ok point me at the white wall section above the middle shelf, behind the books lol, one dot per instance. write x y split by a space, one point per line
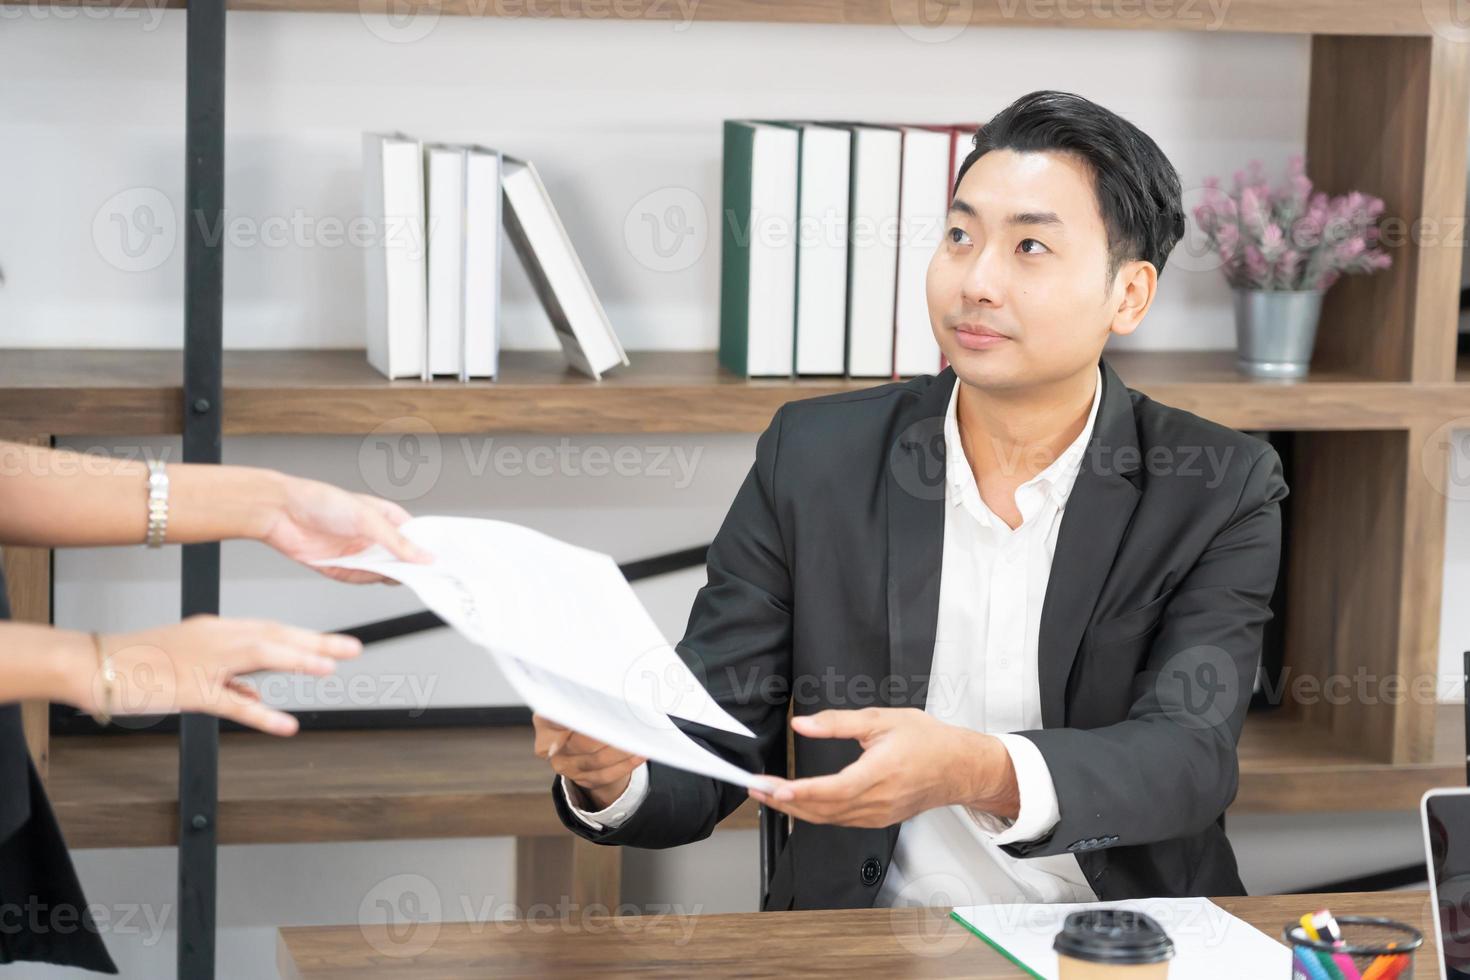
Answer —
615 112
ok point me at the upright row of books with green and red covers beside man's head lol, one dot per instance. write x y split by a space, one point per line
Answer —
827 234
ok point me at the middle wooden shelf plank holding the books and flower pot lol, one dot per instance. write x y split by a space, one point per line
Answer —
337 393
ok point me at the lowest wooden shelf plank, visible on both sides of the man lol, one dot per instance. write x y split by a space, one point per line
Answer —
121 791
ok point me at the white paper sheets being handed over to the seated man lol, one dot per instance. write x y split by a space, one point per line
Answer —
567 631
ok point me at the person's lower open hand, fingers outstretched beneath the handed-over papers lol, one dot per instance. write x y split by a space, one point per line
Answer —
199 666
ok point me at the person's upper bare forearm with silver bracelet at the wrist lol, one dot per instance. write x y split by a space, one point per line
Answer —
64 499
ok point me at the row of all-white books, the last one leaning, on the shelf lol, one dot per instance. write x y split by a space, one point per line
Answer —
433 267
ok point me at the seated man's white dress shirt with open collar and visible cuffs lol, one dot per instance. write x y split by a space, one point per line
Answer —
984 678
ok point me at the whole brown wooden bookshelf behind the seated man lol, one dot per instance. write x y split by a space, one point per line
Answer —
1369 518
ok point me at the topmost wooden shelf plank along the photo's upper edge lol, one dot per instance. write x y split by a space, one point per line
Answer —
1265 17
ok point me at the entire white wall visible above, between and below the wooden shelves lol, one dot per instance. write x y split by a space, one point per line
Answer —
624 121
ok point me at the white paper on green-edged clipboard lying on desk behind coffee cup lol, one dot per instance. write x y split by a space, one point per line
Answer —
1211 944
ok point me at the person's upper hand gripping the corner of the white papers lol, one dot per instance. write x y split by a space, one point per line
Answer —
309 521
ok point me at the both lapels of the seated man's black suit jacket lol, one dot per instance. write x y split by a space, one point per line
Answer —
1099 511
